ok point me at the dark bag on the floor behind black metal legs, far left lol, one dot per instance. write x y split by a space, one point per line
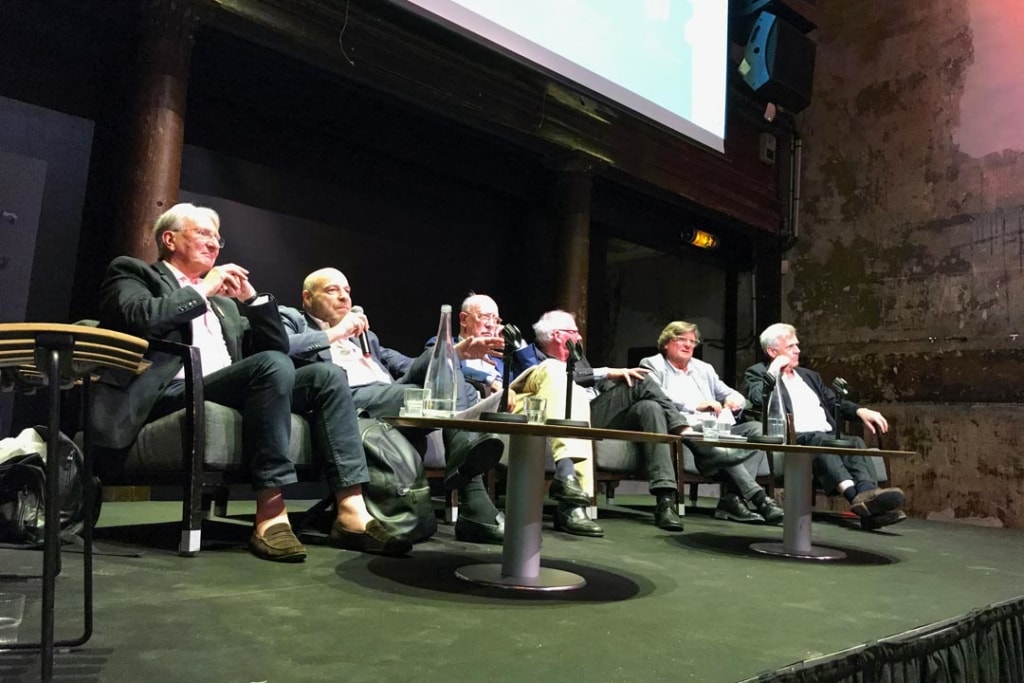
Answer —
23 494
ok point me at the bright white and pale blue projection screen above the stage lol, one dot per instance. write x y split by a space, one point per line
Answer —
665 60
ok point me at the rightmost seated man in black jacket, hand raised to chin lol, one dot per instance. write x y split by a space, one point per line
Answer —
813 406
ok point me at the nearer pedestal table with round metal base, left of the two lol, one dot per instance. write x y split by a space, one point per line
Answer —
521 568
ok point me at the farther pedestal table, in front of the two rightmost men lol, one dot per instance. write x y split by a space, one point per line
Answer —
798 478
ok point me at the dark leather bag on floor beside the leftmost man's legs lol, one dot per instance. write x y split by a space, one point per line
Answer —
398 494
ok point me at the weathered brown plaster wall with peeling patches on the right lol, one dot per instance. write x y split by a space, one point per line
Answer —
909 274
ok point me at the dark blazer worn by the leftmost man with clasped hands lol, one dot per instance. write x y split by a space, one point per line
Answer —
146 301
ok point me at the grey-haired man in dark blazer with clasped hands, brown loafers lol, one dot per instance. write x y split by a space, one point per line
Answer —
186 297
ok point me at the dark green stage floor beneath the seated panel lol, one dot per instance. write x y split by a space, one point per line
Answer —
659 607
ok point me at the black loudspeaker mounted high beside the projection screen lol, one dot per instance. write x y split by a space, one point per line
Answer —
779 63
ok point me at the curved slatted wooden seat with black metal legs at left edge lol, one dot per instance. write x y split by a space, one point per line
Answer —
57 357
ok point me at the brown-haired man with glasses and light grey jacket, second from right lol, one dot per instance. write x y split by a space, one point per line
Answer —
697 390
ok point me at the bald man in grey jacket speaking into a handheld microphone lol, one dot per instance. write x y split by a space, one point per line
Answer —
329 331
